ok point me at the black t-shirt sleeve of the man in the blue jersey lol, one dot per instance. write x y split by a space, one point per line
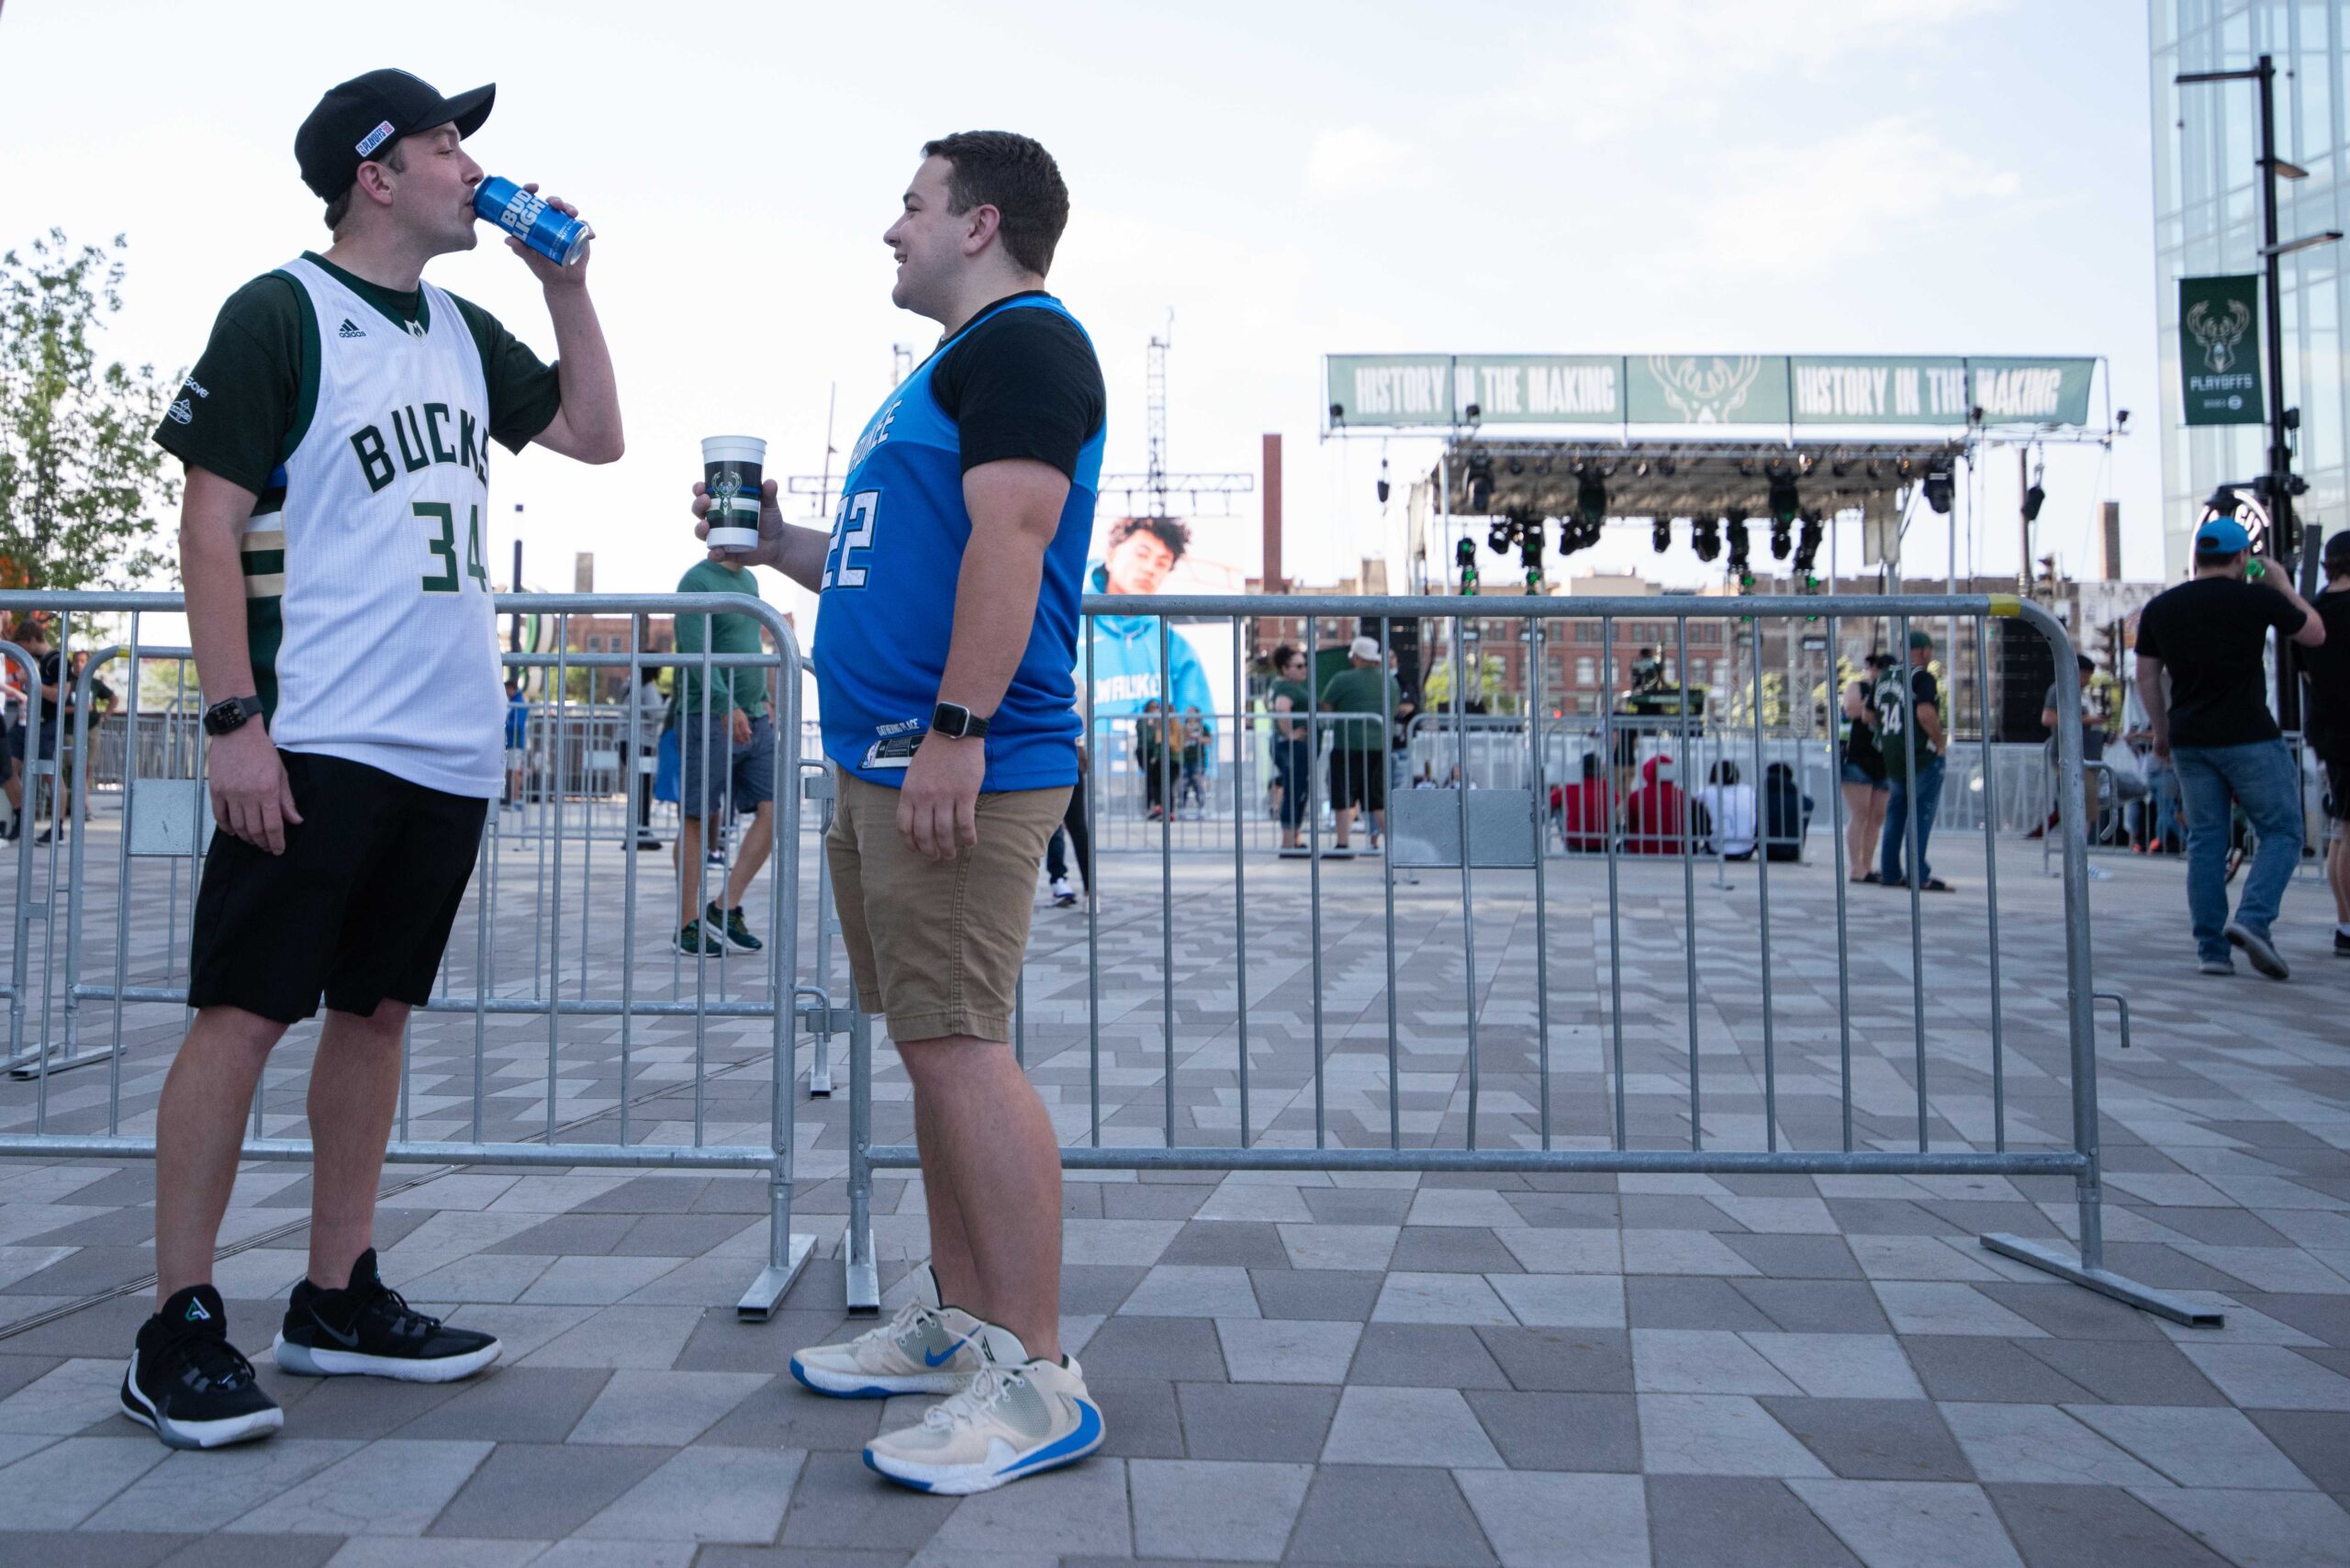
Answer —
1023 384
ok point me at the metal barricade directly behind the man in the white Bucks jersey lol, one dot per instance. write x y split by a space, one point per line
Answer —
568 1021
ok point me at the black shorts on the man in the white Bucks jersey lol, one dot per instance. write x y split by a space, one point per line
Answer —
358 906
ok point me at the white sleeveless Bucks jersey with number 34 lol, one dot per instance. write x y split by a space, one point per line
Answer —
365 587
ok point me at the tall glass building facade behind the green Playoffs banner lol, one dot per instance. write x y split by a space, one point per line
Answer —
2208 220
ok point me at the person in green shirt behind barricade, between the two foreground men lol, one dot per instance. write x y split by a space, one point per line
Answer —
727 756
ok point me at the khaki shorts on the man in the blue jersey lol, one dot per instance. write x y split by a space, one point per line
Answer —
936 946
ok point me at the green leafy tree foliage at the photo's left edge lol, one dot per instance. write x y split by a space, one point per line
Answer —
81 483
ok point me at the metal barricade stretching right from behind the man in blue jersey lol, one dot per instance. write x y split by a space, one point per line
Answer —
1416 1097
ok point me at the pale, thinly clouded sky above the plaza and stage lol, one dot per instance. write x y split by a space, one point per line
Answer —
1291 180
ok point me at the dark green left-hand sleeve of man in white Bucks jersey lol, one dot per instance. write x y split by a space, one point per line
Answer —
241 410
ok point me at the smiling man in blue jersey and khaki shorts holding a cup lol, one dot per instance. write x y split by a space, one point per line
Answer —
946 643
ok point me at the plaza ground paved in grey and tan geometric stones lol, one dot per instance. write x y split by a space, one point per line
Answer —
1298 1367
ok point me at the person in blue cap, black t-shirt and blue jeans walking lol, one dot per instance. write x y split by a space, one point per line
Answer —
2210 636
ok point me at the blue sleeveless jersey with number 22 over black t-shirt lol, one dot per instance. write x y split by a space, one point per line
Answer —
887 608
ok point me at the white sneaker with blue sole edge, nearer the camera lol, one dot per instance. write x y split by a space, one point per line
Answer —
1014 1421
